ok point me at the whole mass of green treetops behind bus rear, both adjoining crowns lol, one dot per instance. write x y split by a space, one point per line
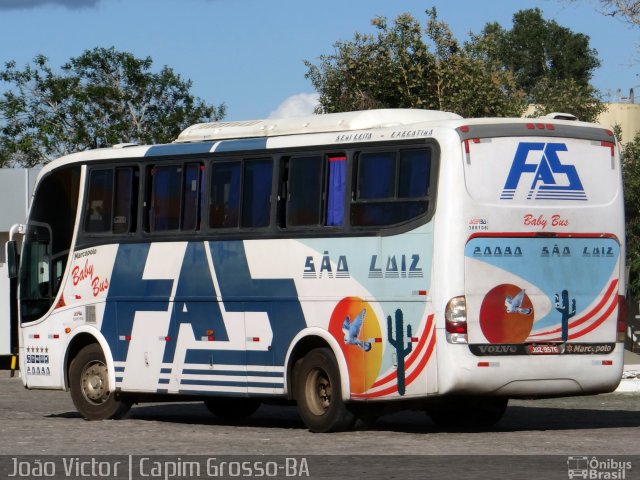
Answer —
495 73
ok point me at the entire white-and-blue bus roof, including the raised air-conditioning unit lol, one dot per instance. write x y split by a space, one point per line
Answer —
260 134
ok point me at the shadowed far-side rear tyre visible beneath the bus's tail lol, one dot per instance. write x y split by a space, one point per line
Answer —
468 412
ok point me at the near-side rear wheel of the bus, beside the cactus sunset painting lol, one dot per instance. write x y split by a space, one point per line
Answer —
319 395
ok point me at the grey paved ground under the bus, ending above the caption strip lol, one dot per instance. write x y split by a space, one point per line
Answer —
45 422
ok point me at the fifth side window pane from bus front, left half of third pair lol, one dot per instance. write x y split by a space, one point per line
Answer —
224 200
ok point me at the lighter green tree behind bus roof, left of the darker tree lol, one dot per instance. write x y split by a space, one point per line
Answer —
397 69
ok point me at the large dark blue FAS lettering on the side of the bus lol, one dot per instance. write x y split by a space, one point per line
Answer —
196 304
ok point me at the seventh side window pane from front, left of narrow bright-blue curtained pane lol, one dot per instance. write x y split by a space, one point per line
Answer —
304 198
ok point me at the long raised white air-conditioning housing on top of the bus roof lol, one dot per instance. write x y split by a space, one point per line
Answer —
330 122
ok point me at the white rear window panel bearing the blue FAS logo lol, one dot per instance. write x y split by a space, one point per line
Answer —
540 171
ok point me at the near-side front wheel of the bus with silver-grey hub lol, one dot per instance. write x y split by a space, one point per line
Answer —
89 385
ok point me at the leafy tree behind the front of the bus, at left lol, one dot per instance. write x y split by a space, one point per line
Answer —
101 98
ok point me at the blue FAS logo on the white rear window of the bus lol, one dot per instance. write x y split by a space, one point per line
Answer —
550 179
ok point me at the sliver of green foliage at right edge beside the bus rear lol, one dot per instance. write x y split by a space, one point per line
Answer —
631 178
